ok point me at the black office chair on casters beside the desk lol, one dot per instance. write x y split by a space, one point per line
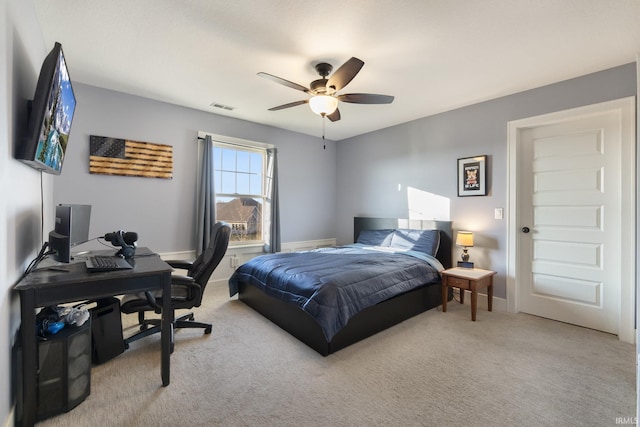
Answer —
186 291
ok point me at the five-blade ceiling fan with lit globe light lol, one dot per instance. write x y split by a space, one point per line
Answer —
324 98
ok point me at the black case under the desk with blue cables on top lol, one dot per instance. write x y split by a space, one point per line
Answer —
64 370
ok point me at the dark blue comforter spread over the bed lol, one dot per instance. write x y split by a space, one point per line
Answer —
333 284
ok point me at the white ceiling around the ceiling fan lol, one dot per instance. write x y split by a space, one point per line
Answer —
432 55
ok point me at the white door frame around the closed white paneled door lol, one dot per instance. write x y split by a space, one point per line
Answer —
626 106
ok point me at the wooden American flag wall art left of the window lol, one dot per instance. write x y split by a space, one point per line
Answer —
113 156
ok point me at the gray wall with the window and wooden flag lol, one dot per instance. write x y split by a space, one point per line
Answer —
162 211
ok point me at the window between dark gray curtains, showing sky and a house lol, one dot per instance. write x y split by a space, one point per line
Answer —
239 175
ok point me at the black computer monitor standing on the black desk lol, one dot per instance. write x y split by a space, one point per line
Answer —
71 229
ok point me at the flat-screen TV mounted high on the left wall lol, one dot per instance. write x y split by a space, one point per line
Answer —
50 117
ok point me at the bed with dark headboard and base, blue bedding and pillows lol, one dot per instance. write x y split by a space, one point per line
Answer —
274 285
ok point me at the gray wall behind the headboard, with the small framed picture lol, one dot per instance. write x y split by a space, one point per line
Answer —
423 154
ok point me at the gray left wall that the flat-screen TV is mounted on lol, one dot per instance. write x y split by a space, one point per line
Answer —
25 193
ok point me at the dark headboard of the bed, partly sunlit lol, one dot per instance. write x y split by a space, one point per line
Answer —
446 232
